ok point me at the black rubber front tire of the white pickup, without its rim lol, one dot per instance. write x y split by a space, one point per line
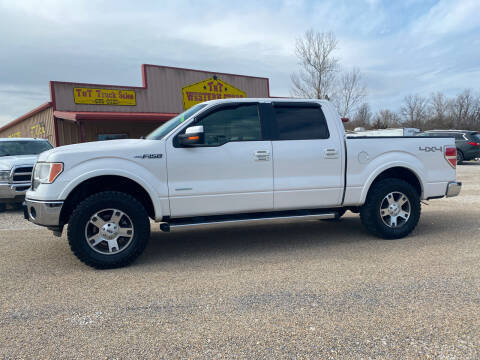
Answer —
105 200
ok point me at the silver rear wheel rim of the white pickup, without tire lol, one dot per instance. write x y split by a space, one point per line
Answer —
395 209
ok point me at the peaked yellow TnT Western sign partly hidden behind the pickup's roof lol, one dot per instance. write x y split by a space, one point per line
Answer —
209 89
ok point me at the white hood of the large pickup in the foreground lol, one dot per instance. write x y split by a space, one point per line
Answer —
85 151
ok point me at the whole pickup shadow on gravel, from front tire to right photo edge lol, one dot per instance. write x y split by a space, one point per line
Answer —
229 242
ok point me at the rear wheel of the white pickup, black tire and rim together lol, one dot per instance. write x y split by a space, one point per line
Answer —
392 209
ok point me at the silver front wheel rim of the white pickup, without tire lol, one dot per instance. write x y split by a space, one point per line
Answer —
109 231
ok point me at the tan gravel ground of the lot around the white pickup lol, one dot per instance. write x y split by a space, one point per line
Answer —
308 289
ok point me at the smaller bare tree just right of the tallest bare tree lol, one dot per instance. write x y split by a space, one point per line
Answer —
350 93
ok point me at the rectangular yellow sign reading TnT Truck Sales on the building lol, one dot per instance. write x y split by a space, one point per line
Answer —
104 96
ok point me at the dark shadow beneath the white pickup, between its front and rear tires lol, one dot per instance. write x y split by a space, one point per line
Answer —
249 239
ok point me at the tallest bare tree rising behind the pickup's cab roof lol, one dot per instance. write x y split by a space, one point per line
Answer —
315 79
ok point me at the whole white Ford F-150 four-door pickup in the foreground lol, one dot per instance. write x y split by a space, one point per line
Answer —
230 161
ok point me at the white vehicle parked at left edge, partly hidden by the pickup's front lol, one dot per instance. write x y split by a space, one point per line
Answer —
17 158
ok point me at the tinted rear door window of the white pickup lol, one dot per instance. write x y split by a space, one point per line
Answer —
300 123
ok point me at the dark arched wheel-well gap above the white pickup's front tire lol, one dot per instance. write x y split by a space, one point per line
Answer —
96 184
